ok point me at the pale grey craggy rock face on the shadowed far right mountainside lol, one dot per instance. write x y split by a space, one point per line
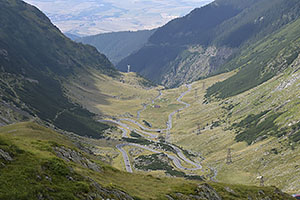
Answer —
193 63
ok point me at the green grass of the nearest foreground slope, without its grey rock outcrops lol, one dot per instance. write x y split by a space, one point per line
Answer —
31 148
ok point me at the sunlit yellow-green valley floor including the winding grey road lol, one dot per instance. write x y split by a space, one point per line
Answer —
177 132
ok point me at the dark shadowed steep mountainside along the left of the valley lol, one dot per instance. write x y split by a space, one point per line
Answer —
35 58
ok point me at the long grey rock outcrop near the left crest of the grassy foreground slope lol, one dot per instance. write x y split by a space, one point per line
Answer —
70 155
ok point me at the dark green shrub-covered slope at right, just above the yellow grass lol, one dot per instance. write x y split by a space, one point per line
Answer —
260 61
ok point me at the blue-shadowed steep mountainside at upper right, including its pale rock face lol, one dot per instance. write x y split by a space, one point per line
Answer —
200 43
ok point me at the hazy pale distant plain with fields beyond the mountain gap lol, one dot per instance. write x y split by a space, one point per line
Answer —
90 17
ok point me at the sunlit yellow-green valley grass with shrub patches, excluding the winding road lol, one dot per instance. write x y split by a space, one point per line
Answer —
258 125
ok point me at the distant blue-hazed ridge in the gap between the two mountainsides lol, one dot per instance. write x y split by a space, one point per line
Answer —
118 45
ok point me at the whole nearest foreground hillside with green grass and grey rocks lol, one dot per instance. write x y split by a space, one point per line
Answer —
38 163
